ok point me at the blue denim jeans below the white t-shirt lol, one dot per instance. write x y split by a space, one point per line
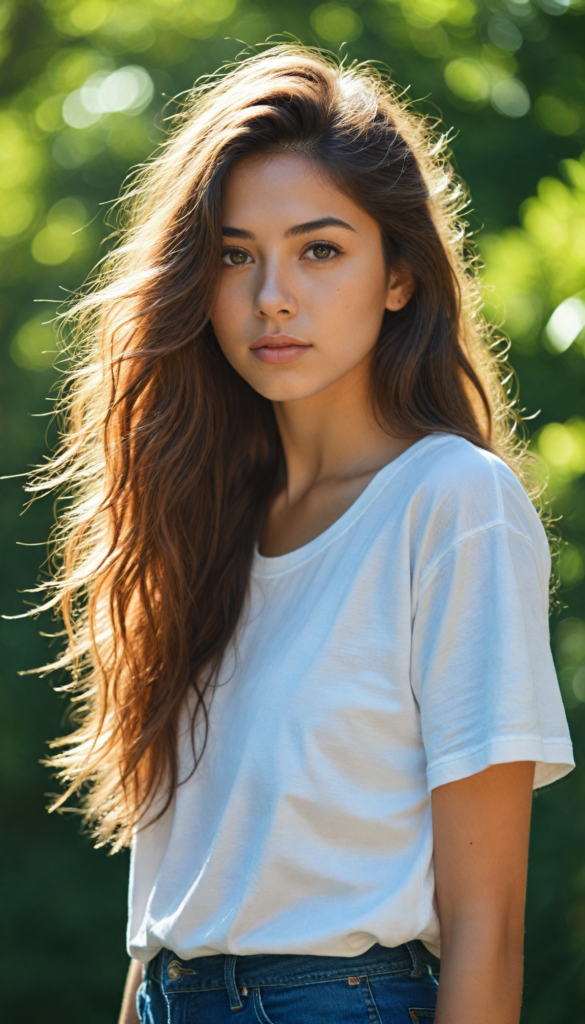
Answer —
382 987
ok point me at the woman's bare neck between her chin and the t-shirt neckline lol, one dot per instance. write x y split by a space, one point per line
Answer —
335 434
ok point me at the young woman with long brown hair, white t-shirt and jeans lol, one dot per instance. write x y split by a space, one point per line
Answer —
306 591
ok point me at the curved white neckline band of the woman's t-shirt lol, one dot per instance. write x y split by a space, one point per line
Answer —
267 567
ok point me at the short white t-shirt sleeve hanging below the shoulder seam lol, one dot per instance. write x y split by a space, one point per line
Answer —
482 667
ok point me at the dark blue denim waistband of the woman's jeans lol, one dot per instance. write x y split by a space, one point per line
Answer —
262 970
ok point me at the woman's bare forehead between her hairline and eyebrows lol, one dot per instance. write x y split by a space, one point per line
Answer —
285 190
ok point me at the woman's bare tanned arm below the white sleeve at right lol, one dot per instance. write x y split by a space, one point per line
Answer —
481 828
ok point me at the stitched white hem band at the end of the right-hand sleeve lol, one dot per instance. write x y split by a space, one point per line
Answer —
554 759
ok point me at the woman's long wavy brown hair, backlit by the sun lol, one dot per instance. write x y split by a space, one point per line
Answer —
170 458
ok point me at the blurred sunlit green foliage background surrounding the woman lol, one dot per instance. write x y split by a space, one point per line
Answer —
510 77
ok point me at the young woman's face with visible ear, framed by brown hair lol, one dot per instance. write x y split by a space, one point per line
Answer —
304 285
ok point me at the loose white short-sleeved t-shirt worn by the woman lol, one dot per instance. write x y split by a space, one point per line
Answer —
405 648
